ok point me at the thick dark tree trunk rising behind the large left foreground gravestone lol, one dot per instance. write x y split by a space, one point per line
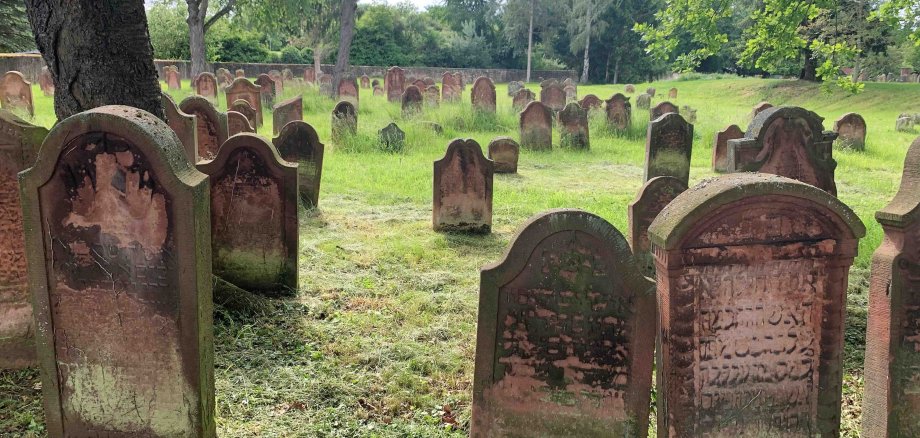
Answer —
98 53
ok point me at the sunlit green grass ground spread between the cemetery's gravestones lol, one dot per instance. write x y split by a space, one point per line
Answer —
380 339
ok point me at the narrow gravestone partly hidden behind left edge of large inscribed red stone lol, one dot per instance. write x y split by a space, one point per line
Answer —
654 195
